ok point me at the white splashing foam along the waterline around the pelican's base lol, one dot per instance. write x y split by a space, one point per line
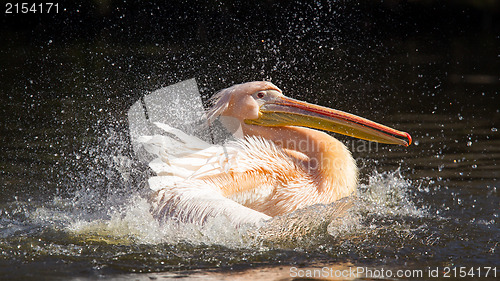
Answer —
129 221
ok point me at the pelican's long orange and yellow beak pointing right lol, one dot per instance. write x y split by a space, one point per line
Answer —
284 111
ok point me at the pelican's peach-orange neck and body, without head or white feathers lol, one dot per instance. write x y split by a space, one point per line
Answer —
278 179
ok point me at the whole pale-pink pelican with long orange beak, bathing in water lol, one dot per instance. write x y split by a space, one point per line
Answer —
281 161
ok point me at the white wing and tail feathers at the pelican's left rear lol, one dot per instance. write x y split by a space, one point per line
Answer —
180 194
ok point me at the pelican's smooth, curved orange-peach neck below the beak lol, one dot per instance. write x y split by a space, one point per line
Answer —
326 159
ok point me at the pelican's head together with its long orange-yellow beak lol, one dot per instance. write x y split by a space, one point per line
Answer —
262 103
